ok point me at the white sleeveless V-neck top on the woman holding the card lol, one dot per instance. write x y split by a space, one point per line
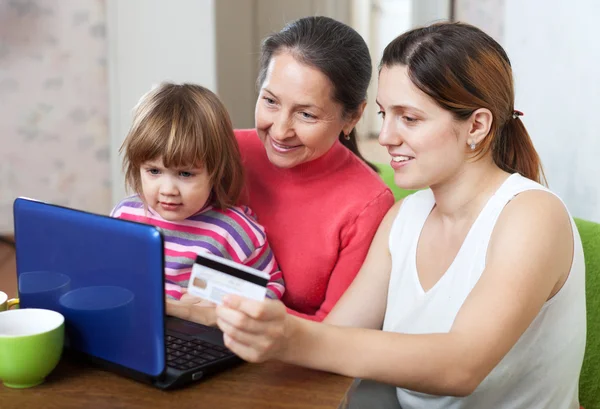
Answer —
542 369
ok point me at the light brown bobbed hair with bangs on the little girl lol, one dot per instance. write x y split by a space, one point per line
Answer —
187 126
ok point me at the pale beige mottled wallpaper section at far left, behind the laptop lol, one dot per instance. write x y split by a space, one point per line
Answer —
53 94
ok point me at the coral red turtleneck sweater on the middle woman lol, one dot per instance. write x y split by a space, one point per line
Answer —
320 218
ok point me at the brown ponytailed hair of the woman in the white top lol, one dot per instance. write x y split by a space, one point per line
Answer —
464 69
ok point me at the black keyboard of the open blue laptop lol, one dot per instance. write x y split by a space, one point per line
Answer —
183 354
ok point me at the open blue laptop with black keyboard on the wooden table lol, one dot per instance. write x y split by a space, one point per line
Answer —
106 276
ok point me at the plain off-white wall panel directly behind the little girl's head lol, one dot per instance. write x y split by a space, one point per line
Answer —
150 41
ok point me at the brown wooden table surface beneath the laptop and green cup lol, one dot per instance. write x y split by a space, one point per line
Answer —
80 385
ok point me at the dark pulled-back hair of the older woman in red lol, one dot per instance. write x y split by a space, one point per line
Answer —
336 50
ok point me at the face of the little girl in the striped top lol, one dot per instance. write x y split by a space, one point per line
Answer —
175 194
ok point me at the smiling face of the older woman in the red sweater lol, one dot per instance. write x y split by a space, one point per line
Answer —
296 118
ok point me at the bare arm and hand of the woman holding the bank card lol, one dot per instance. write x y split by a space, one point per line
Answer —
528 258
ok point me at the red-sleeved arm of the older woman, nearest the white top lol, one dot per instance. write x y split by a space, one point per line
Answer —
356 242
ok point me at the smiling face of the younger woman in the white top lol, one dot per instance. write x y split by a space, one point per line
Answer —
426 144
